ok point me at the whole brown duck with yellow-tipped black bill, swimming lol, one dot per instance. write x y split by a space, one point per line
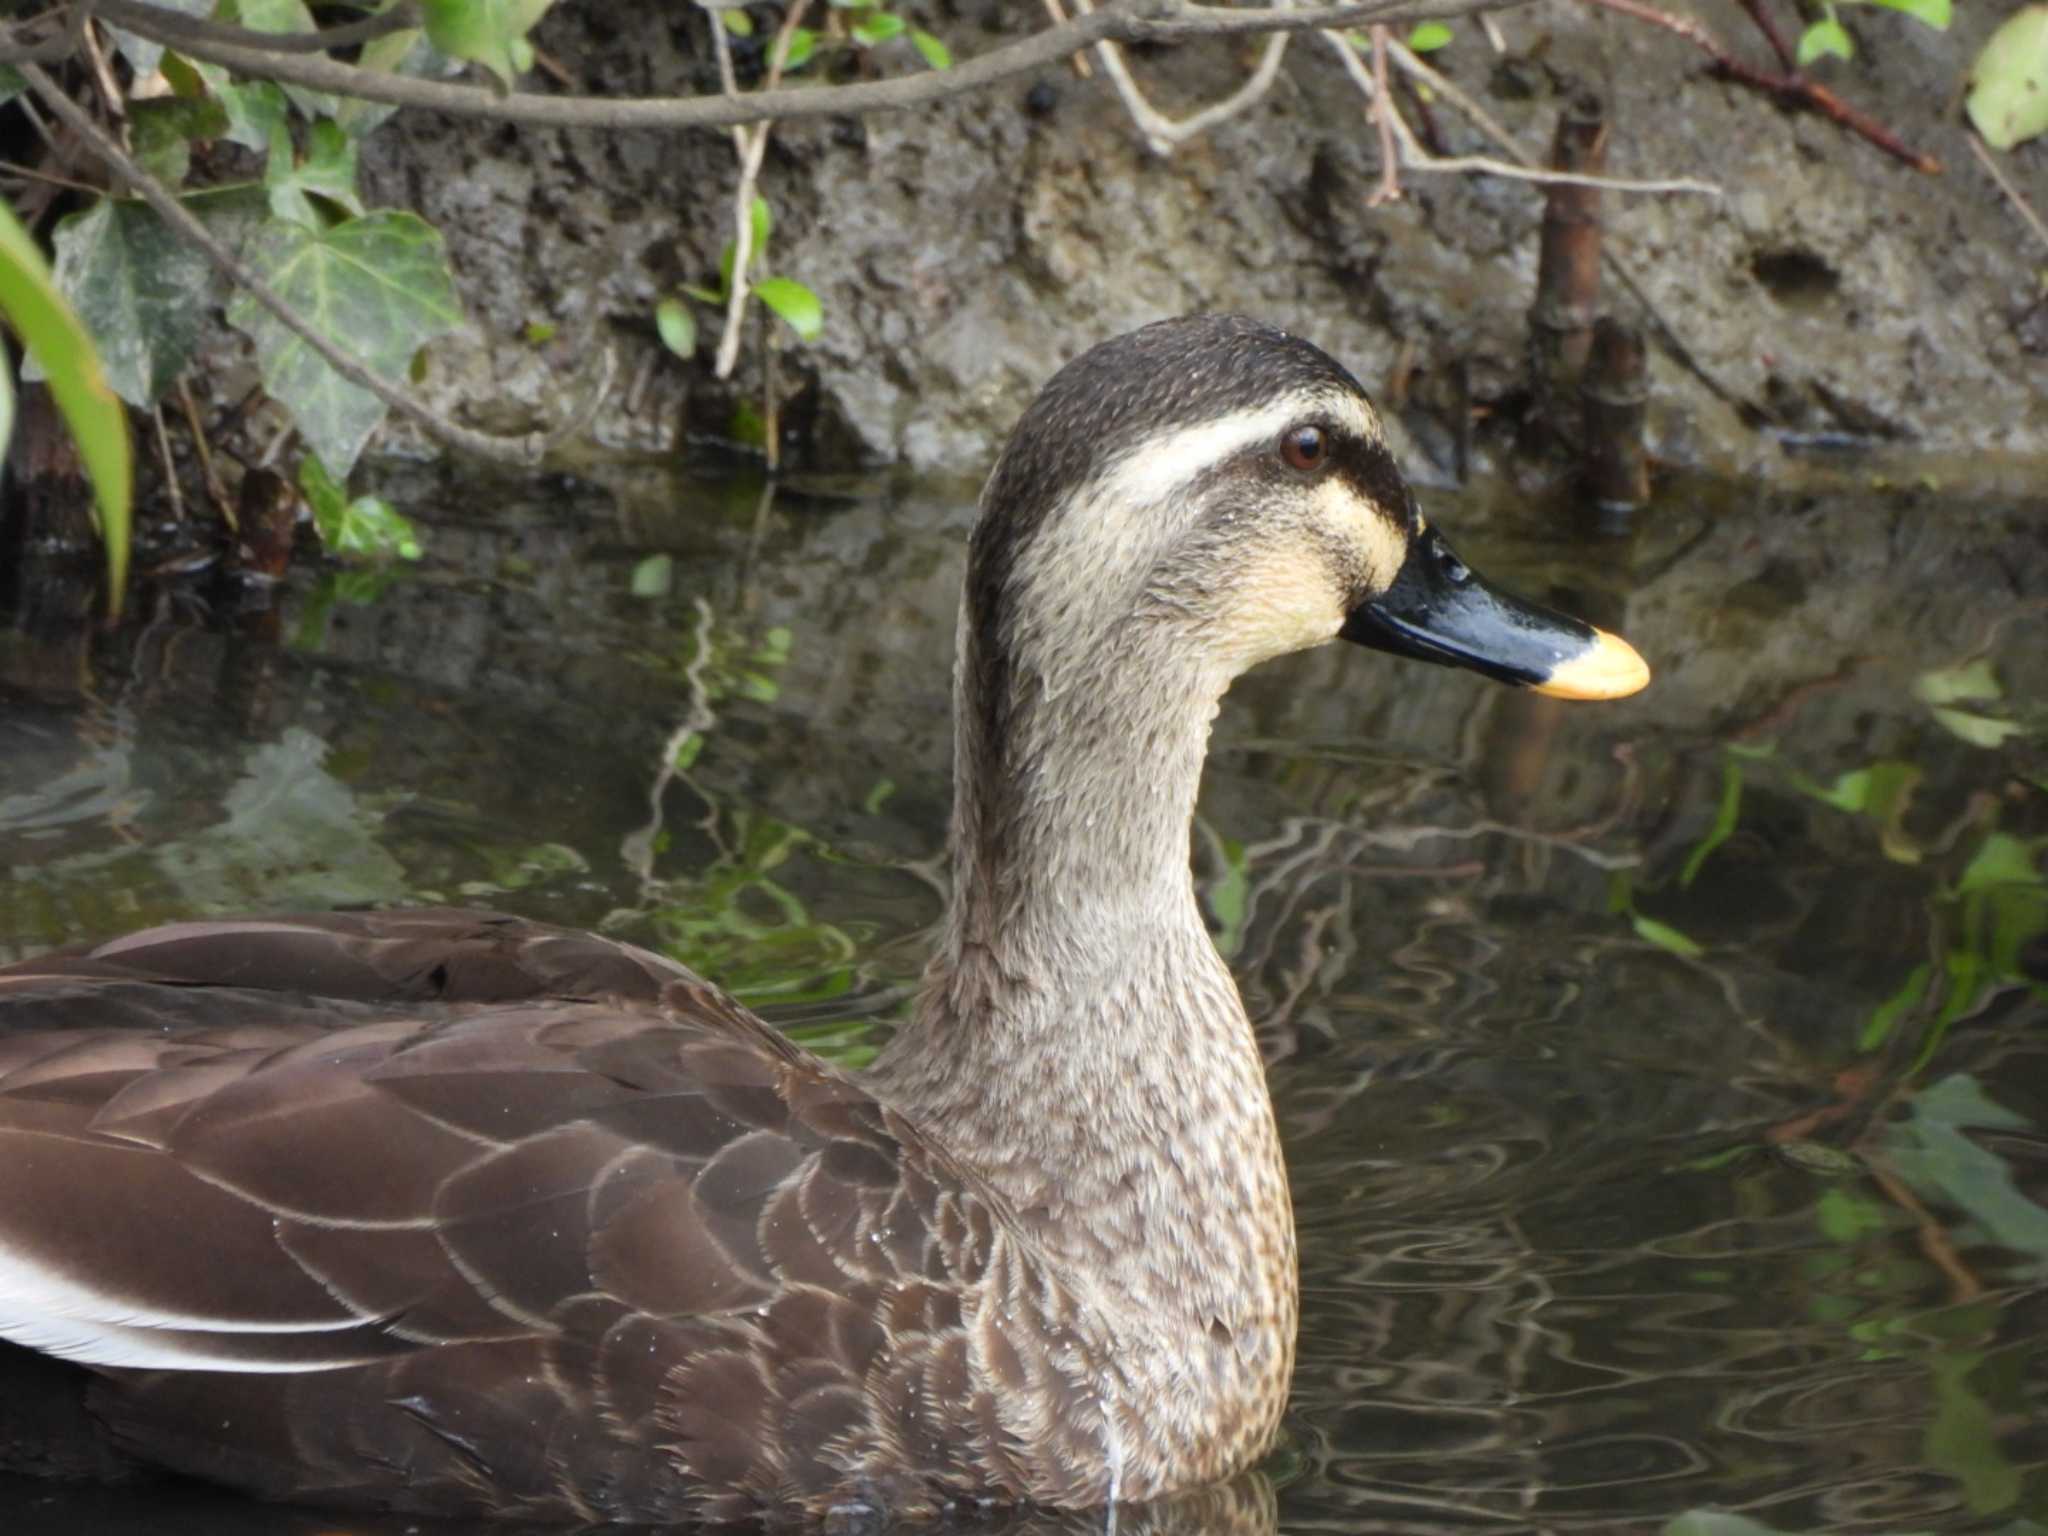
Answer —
466 1215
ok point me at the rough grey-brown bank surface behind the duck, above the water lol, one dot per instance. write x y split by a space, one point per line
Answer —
966 251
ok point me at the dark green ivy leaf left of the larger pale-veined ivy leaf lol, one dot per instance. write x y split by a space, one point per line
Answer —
140 292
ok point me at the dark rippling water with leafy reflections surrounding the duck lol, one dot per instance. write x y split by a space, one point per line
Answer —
1666 1082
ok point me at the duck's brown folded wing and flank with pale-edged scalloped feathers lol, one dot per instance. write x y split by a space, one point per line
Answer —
587 1238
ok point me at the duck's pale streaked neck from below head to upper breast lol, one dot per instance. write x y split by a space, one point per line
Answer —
1078 1041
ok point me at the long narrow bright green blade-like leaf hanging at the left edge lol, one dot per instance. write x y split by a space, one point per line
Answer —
54 335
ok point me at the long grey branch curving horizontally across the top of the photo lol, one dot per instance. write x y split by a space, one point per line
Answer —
1125 22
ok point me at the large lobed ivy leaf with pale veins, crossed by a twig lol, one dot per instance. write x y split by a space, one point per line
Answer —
378 288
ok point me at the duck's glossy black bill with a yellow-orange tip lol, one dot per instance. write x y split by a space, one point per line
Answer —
1443 611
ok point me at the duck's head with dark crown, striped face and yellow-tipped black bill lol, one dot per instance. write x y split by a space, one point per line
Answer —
1222 490
